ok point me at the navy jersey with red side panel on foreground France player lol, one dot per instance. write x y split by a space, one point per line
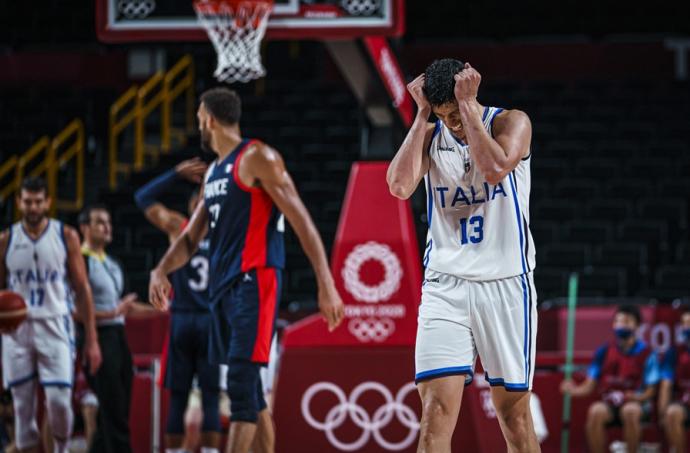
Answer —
245 226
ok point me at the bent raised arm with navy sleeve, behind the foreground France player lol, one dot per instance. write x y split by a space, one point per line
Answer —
147 197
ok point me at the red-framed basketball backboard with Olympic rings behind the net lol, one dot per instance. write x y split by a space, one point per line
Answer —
175 20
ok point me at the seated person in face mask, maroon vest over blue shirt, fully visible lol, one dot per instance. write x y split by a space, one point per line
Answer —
624 372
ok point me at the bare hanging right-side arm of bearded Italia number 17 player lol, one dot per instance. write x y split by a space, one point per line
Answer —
83 298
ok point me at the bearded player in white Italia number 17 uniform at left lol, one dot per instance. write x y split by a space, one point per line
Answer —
39 257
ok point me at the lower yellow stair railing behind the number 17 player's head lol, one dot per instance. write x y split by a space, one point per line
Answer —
50 164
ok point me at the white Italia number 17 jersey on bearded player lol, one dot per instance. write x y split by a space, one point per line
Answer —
38 269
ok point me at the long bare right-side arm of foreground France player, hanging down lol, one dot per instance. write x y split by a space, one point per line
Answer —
264 166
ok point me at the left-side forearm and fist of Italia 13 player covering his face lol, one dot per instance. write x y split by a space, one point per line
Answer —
411 161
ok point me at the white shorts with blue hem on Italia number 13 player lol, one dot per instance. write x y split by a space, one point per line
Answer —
460 319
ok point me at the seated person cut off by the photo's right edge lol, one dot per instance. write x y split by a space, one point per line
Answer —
674 391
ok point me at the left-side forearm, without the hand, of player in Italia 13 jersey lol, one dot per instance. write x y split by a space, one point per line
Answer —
405 170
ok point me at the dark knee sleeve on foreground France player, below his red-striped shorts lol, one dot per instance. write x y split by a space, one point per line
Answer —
242 384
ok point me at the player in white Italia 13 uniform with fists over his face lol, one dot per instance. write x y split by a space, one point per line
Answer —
478 295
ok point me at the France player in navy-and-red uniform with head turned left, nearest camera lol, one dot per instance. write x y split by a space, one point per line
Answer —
247 191
